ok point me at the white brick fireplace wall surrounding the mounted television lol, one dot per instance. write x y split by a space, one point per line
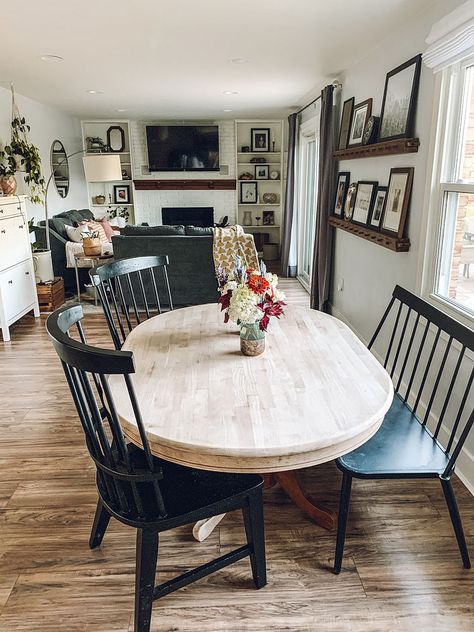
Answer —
148 204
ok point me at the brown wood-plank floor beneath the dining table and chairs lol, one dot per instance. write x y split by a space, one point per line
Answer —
402 569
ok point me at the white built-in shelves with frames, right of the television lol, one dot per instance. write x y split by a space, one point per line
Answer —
275 161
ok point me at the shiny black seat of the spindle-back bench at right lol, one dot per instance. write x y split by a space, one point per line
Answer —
402 448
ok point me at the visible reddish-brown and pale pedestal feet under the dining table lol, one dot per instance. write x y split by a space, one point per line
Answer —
290 482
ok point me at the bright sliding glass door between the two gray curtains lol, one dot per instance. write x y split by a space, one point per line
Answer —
307 195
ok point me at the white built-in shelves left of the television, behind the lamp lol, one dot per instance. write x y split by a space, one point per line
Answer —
98 129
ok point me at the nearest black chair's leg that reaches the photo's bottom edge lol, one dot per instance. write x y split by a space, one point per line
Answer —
147 556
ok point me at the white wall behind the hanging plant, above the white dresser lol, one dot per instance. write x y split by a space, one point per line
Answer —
48 124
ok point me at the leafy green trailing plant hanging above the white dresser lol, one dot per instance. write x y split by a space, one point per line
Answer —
20 155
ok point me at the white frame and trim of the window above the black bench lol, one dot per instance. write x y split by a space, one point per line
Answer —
443 155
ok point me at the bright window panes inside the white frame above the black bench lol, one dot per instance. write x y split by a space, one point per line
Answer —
452 276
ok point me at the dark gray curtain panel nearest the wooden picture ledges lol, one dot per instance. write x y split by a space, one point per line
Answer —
323 241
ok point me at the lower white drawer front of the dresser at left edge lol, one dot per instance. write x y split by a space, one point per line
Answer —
17 288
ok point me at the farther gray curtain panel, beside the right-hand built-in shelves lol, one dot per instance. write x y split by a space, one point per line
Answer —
287 269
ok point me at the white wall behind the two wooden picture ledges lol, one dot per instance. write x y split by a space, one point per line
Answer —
370 272
